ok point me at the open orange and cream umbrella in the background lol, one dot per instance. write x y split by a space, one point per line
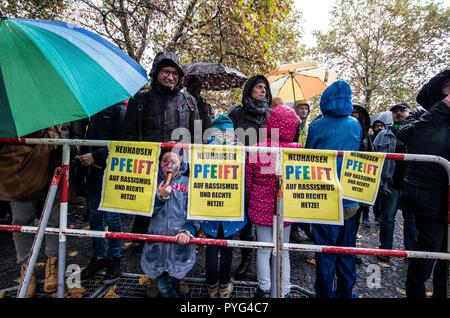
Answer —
303 80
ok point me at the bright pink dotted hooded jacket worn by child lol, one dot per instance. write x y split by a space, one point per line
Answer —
260 179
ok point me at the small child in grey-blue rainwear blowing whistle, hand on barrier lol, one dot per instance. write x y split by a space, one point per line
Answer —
167 263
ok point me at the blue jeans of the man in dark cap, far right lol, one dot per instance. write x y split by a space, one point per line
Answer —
387 225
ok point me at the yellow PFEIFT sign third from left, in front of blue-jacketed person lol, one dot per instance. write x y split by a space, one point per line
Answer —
311 189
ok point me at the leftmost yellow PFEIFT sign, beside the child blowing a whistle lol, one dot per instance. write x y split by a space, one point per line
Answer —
129 181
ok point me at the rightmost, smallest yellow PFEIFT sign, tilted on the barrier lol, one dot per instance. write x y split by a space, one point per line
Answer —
360 176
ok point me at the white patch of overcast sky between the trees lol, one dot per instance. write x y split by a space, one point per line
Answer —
316 14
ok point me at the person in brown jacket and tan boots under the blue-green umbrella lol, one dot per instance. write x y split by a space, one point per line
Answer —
25 198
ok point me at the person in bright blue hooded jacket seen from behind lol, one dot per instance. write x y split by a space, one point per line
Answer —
336 130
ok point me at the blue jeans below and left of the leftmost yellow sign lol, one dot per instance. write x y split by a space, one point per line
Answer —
97 221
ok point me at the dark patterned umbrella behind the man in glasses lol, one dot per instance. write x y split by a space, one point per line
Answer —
214 76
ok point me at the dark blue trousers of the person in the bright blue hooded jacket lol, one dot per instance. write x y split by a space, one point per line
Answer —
335 273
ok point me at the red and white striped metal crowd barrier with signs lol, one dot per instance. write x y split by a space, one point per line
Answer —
277 245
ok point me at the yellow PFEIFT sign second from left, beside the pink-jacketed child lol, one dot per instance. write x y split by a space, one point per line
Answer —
216 183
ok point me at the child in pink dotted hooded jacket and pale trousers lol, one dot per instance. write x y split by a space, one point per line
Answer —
282 129
